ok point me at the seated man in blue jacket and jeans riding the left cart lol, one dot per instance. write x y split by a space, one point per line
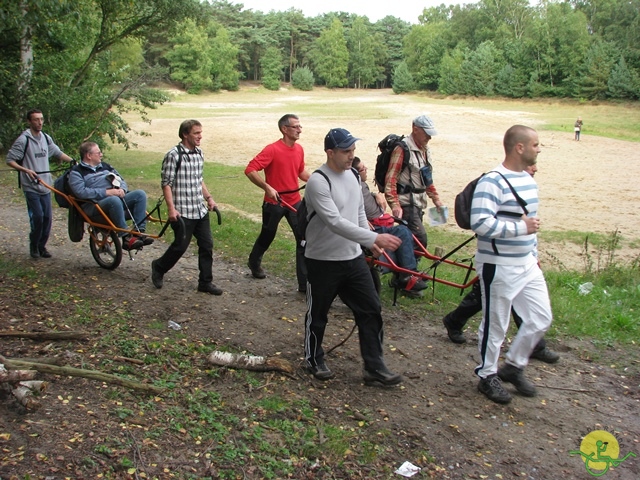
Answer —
101 184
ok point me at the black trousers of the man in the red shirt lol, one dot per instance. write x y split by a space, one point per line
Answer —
272 214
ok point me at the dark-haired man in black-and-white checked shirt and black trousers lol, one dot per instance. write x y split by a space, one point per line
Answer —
187 198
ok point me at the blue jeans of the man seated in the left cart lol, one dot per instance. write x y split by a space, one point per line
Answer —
114 208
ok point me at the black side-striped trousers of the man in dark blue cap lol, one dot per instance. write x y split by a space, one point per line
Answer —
352 281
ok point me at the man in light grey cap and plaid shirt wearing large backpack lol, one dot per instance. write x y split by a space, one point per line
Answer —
407 189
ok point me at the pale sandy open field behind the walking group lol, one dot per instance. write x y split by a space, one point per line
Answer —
587 186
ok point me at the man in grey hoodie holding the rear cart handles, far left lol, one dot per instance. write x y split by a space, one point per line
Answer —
29 155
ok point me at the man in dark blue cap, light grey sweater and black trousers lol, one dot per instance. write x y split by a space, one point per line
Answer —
337 228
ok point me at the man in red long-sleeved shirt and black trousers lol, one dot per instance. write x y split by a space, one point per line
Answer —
283 164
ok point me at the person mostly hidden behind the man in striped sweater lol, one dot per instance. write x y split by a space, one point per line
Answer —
471 304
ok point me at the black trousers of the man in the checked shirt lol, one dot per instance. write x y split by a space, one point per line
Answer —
201 229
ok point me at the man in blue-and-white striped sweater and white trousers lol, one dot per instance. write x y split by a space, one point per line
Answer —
508 267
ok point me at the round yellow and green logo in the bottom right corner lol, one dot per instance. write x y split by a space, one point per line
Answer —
600 451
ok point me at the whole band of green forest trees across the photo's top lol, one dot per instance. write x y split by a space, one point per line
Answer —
86 62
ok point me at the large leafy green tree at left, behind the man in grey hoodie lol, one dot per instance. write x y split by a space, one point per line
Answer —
73 45
